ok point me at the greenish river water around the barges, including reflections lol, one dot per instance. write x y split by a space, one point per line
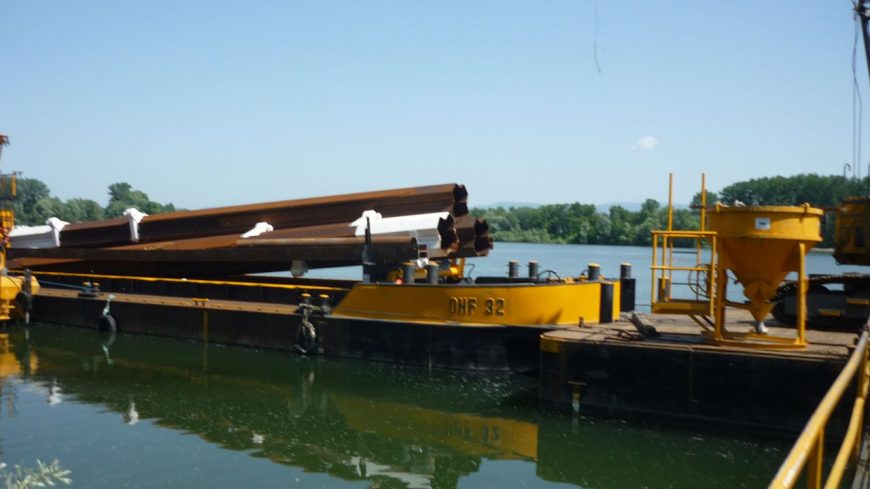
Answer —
143 412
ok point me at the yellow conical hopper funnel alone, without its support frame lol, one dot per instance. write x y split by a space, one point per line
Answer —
760 246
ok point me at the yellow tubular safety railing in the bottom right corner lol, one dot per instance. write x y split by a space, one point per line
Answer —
808 451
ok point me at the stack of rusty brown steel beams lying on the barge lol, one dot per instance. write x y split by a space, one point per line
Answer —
405 224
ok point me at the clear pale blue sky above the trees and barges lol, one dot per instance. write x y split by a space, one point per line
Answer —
208 103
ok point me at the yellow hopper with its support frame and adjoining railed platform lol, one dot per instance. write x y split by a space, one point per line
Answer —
760 245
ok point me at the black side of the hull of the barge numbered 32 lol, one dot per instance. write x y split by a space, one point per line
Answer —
489 348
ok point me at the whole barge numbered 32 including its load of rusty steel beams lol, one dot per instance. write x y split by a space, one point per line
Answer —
199 275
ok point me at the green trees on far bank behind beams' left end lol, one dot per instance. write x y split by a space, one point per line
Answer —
35 204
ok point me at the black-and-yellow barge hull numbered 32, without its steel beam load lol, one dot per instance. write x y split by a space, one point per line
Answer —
490 324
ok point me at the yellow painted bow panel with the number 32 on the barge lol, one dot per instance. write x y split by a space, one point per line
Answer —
515 304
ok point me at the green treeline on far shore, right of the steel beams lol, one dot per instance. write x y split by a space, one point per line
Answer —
582 224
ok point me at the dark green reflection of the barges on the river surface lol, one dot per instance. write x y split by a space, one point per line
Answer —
359 422
